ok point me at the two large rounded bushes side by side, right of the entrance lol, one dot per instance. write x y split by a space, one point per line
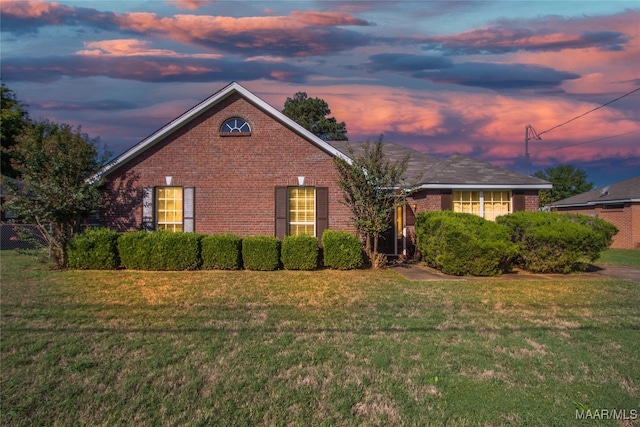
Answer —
465 244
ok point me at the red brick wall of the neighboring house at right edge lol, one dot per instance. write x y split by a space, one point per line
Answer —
627 220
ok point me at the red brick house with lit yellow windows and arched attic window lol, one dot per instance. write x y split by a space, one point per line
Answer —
235 164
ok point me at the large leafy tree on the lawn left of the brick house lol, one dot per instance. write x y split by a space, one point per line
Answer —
55 163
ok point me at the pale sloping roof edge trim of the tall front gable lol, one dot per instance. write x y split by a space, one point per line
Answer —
202 107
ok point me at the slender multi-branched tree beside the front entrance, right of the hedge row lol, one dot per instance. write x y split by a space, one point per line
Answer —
372 188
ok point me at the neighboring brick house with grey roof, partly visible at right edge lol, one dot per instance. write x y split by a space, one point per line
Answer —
618 204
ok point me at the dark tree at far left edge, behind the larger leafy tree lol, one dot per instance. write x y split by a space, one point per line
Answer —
14 119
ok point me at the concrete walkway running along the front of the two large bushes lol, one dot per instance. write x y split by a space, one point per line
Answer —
422 272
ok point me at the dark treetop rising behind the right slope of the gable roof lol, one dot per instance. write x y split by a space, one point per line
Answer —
311 113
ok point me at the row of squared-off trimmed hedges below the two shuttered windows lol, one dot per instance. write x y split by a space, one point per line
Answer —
107 249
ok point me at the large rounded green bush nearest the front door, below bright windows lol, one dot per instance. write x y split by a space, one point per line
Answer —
464 244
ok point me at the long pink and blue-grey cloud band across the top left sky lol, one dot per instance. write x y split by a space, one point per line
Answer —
301 33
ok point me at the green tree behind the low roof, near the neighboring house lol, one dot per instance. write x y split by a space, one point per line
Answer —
567 181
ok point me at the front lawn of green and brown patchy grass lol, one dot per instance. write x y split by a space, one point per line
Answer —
312 348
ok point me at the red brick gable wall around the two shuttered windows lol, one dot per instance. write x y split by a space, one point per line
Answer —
234 176
